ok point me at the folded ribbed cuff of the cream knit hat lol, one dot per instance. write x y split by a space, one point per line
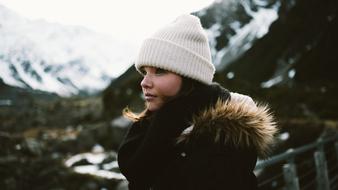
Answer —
169 56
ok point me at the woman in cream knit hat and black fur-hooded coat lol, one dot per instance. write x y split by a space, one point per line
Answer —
193 134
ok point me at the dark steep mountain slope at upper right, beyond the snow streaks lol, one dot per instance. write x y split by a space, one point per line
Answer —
299 48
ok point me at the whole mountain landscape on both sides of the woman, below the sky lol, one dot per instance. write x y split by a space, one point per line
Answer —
61 96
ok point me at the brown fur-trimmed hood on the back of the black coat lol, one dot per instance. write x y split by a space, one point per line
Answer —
238 122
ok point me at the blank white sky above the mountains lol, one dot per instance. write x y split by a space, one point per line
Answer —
127 20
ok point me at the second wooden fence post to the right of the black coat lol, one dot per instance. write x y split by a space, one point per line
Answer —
321 169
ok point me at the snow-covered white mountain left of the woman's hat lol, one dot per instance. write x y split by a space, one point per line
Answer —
51 57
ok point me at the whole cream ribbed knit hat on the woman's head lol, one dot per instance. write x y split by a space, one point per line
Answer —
181 47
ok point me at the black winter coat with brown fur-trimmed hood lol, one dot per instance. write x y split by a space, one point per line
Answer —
206 140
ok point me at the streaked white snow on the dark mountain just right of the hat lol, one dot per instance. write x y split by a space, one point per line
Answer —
245 33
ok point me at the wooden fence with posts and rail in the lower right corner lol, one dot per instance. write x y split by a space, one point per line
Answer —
324 179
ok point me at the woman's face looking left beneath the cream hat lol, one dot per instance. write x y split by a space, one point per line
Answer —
158 86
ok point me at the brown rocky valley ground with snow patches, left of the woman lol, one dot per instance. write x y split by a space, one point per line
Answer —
48 142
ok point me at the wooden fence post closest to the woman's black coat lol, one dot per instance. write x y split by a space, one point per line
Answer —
290 177
